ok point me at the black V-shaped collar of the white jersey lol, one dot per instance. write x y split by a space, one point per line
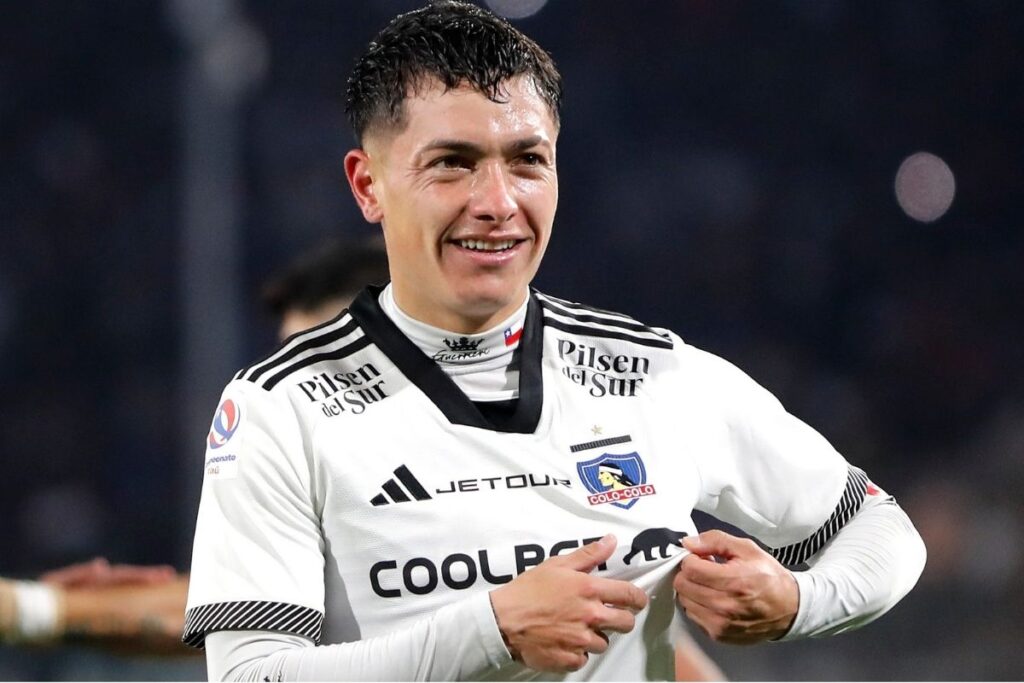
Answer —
433 381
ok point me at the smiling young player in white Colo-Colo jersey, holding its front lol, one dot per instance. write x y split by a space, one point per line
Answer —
400 469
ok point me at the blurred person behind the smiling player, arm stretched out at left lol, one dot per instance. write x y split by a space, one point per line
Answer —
135 610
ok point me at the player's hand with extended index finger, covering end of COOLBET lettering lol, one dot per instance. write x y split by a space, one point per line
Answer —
553 616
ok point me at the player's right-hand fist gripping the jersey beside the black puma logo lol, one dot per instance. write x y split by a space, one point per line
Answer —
745 597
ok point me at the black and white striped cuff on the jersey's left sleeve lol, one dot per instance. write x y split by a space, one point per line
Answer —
251 616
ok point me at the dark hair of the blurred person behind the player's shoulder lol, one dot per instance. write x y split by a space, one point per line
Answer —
338 269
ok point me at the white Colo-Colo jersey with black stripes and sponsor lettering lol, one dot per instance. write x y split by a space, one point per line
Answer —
354 492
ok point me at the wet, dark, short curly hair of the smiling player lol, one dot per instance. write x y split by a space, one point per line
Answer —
454 42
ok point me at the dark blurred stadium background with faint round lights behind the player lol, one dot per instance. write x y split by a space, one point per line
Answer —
827 193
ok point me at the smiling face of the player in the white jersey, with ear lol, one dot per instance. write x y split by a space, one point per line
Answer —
466 195
